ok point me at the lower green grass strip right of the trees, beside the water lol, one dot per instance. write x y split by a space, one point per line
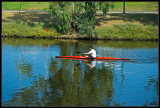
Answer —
129 31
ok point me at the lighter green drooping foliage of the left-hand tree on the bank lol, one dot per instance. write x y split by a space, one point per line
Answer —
60 21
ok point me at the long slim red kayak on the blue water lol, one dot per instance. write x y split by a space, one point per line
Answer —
97 58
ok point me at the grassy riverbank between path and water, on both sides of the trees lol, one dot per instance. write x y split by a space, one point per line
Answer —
113 26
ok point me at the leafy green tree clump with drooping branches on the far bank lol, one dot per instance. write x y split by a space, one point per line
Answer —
77 16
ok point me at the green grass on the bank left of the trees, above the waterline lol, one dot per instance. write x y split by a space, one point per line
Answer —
26 29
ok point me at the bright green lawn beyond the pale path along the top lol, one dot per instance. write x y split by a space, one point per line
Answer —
130 6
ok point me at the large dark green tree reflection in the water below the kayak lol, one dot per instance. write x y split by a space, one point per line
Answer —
68 85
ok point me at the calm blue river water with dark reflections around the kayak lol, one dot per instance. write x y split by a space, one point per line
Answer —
32 76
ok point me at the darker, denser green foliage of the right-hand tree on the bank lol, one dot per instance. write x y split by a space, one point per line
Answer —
84 18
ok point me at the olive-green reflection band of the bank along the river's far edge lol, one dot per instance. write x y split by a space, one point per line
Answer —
81 43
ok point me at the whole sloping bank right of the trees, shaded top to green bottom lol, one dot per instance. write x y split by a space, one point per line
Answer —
128 26
